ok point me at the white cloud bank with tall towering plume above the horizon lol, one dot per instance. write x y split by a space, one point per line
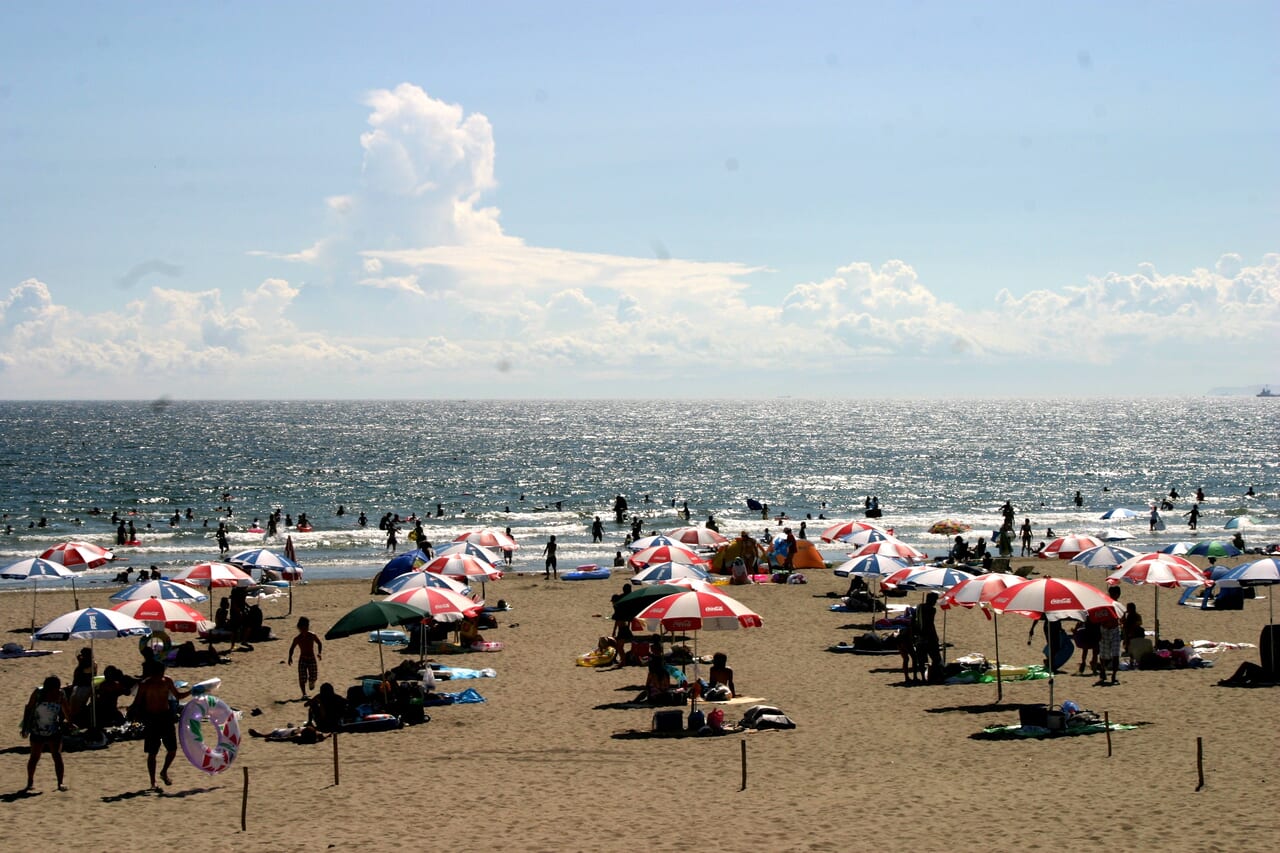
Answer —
464 309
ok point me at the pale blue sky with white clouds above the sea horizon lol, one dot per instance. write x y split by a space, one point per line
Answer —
588 200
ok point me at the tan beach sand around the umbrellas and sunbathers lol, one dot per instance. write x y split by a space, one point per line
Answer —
872 765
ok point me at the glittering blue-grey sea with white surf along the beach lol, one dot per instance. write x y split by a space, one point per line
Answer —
511 463
